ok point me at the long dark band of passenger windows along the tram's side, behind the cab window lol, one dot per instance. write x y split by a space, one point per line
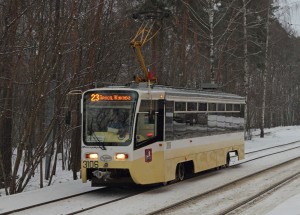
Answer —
210 119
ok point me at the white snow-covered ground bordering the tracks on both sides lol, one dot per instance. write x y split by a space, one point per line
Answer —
63 184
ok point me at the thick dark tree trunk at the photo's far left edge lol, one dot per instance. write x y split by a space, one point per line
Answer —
9 63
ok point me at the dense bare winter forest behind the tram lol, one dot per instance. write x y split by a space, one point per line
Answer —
50 48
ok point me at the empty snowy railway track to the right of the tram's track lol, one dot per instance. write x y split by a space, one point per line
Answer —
232 197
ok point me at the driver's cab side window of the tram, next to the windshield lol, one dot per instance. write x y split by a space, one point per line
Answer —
146 121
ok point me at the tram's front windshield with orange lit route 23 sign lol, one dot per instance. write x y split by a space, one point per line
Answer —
108 117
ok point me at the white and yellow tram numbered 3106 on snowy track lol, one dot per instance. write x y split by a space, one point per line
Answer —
160 135
